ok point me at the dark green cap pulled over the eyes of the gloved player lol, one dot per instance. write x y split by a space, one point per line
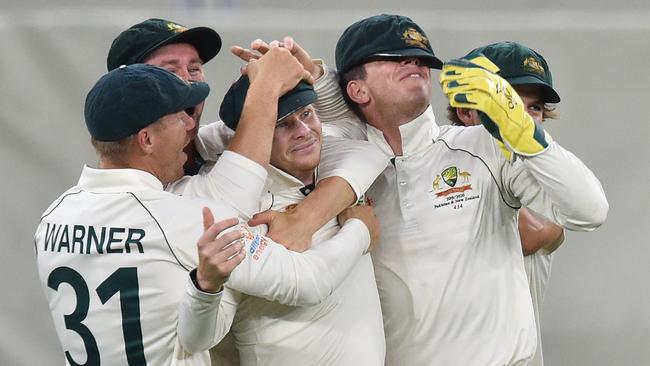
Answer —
383 35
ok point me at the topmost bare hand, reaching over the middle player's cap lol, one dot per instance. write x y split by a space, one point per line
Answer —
259 48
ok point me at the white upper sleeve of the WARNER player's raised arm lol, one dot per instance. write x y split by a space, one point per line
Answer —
234 179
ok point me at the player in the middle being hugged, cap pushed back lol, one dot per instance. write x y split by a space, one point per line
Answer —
346 328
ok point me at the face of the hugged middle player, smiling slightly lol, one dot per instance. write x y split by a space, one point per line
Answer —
297 144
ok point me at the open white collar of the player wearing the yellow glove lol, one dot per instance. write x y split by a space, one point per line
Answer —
416 135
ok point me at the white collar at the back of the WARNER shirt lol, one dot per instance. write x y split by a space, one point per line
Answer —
117 180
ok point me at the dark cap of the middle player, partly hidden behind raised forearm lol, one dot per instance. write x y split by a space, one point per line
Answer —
233 102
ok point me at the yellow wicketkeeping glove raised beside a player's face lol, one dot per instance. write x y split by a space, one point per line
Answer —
473 84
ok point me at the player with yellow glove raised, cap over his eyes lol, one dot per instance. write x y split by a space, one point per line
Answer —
450 270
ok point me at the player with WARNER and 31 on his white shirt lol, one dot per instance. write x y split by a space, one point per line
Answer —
114 251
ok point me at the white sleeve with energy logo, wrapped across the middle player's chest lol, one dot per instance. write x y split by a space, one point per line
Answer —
272 272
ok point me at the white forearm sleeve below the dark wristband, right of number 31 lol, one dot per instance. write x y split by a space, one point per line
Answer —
205 318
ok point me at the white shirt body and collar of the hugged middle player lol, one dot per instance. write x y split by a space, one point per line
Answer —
345 329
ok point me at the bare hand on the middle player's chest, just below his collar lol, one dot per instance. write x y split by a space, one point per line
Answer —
284 228
